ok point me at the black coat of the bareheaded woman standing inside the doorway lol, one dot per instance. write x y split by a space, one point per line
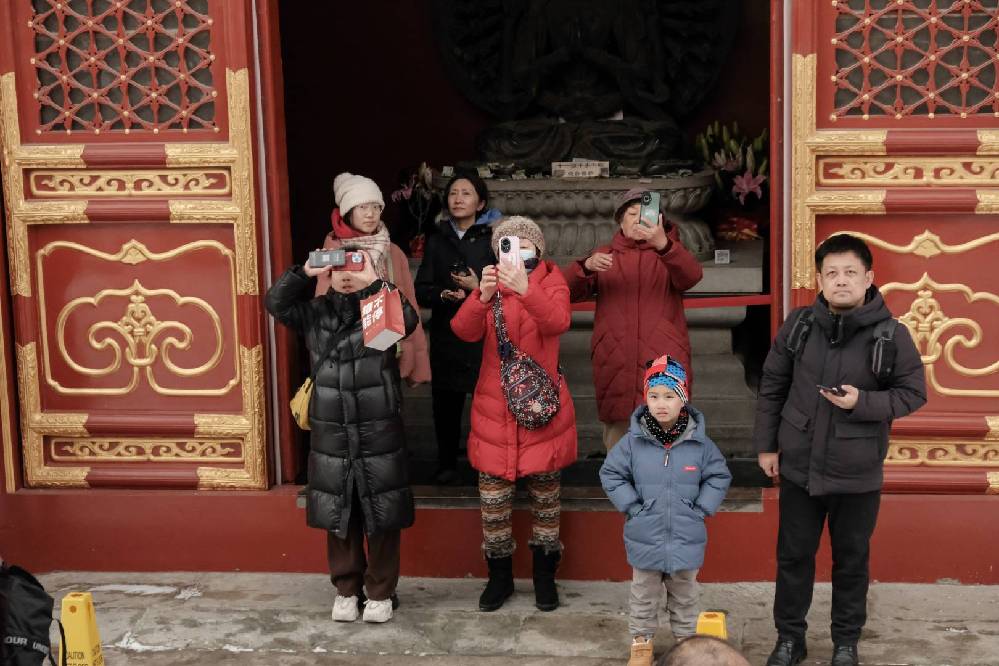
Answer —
454 364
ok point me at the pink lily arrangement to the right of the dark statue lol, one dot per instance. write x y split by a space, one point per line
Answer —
740 163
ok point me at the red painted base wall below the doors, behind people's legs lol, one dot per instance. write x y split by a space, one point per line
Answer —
920 538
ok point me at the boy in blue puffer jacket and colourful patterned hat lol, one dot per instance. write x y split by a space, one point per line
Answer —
667 475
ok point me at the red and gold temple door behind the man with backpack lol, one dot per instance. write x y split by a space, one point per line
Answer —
894 138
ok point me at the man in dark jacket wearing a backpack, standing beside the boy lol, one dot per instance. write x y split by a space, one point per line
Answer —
838 373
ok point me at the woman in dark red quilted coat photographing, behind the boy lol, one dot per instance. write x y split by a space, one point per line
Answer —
639 280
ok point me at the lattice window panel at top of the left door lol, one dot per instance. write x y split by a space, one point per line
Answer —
130 65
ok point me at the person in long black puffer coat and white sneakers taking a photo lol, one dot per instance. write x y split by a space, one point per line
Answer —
358 479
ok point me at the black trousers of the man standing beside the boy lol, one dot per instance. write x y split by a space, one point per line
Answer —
851 523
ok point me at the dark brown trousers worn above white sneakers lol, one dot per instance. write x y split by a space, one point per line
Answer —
350 569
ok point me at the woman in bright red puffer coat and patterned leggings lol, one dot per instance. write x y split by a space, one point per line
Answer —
535 302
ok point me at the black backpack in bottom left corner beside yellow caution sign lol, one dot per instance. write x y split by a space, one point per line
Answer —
25 617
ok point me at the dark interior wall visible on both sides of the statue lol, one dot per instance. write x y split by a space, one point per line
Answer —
365 92
